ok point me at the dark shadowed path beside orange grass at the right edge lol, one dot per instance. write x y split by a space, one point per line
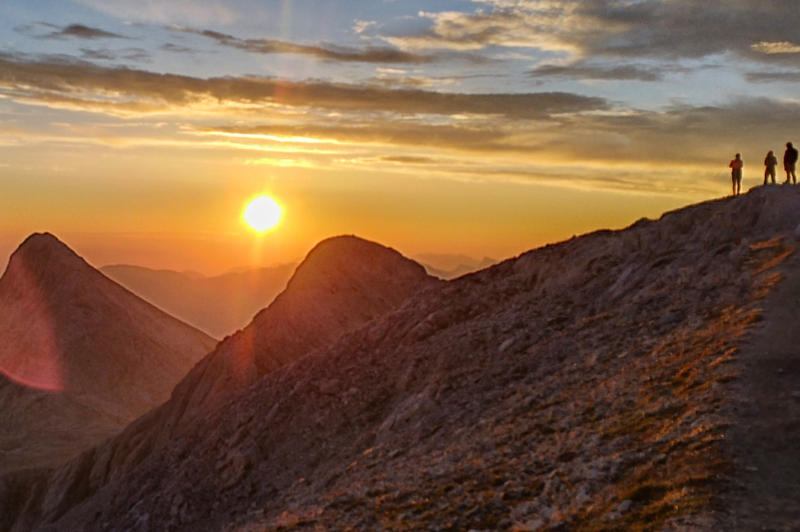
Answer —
765 434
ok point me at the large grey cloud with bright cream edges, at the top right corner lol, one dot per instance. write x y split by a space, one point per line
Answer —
674 30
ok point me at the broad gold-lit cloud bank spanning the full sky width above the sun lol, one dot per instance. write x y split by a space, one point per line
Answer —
538 136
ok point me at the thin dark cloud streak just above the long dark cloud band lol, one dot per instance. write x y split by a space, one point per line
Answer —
329 52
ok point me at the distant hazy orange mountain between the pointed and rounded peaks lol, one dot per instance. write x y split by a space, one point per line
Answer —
217 305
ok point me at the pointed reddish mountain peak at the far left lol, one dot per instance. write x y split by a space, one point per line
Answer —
80 356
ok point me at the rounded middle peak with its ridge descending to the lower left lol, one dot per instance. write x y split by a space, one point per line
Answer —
344 283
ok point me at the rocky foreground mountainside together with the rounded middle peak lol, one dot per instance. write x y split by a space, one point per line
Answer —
621 381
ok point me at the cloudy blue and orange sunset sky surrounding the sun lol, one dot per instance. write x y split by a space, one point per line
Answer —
137 132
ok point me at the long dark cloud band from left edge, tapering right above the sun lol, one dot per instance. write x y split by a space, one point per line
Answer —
65 78
